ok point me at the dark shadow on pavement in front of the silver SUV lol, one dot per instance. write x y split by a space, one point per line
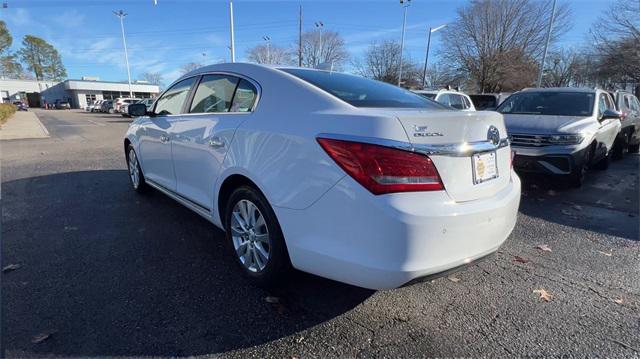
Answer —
608 201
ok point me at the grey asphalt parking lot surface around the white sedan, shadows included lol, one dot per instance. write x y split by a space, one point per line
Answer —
105 272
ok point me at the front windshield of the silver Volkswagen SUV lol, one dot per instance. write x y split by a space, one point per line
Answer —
549 103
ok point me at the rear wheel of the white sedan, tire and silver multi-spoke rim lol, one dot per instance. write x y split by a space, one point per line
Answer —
255 238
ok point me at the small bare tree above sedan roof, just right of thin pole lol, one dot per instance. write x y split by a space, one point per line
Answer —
323 47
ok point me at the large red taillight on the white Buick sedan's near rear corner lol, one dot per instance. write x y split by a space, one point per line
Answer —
382 169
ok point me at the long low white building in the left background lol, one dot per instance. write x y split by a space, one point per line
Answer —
79 93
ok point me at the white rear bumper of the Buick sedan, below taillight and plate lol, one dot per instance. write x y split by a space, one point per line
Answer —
386 241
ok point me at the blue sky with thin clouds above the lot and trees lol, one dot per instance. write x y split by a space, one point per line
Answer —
162 38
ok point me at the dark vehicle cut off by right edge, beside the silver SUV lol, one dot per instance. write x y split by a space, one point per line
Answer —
629 137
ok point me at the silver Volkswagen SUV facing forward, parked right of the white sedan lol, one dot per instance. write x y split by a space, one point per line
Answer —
561 131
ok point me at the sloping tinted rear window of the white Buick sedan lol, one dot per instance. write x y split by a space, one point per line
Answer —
362 92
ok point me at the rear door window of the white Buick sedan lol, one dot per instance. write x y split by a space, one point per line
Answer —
214 94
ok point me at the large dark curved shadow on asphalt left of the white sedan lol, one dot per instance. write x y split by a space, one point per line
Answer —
108 272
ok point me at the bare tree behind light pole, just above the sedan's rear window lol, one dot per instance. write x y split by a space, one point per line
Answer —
381 62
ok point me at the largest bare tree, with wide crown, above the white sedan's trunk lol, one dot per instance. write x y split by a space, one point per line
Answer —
492 41
